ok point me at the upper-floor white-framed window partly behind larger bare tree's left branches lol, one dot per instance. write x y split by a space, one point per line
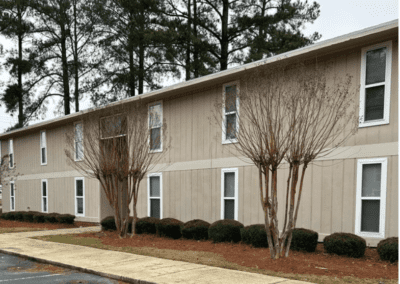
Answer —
230 110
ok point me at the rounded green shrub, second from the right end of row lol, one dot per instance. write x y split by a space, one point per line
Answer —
345 244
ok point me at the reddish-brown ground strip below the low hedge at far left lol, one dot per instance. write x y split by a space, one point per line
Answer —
8 226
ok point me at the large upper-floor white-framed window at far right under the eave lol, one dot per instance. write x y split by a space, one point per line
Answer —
376 66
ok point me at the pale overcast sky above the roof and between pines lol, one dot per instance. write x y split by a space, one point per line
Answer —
337 18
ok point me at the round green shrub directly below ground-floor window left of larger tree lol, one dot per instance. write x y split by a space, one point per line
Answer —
225 231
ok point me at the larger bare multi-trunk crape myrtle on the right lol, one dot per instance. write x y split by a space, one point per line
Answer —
287 116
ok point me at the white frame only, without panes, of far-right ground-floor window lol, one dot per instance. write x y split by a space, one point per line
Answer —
382 198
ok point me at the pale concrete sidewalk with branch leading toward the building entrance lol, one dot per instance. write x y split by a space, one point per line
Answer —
124 266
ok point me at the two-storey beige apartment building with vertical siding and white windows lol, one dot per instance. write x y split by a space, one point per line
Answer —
355 189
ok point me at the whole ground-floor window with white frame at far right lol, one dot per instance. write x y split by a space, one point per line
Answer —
371 197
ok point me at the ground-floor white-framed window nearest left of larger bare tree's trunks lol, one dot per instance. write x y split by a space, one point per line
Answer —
229 194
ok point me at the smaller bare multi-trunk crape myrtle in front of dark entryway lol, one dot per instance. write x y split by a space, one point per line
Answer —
114 147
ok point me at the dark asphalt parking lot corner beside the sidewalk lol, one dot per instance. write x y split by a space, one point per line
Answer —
19 270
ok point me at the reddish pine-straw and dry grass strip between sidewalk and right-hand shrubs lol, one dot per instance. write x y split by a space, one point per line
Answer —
310 267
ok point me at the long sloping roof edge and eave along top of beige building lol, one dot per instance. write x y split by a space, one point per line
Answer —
317 49
